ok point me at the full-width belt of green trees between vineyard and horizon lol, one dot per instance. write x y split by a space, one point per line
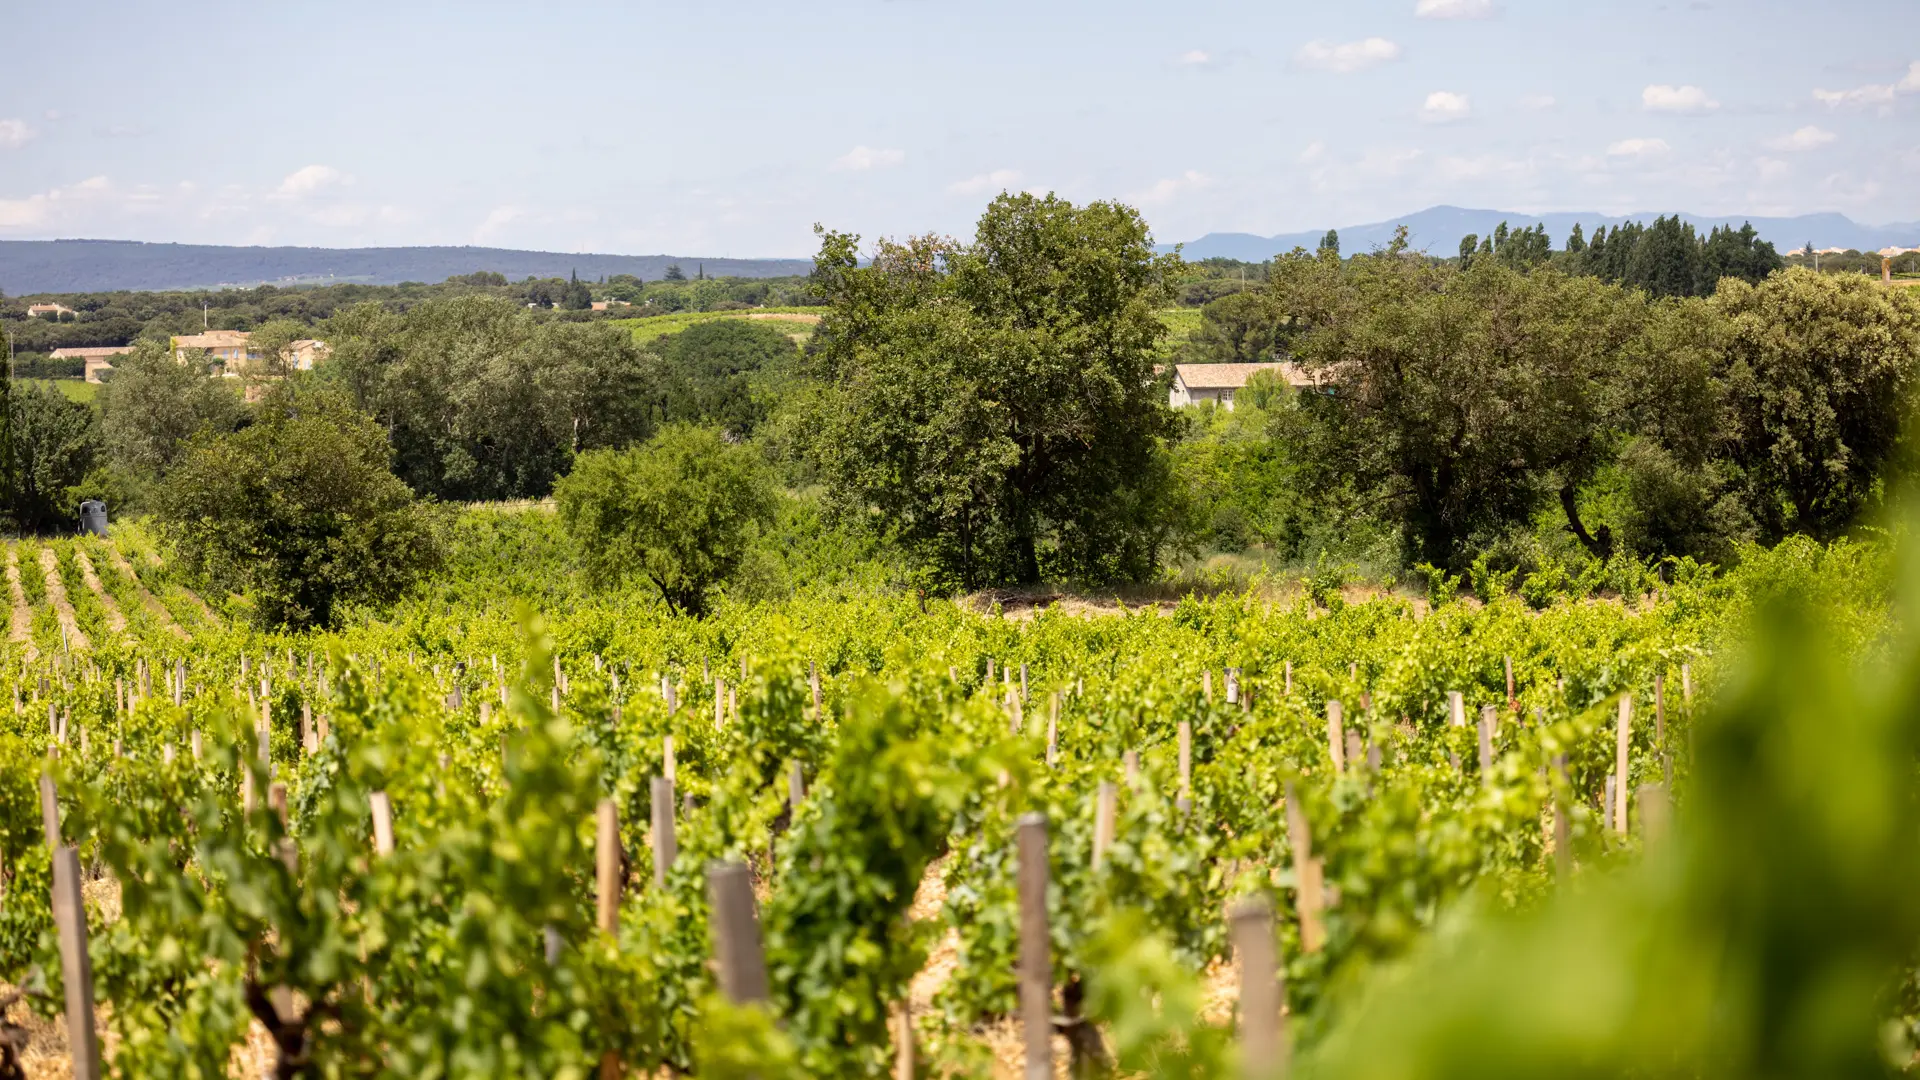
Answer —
996 410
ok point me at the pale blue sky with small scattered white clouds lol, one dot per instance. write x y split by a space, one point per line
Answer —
732 130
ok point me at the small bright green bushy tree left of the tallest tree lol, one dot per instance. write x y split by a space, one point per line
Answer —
679 512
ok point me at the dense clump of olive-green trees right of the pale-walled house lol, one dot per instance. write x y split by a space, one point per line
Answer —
1462 410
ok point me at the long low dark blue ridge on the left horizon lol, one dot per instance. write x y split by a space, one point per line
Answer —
110 266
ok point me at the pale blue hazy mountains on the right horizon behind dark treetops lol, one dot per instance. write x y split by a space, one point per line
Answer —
1439 232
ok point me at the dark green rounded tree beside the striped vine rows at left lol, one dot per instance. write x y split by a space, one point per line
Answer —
299 512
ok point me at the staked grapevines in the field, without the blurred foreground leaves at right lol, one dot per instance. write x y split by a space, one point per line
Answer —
389 847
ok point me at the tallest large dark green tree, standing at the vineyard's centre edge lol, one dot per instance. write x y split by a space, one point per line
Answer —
996 405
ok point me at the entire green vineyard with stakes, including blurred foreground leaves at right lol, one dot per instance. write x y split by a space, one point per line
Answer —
521 829
